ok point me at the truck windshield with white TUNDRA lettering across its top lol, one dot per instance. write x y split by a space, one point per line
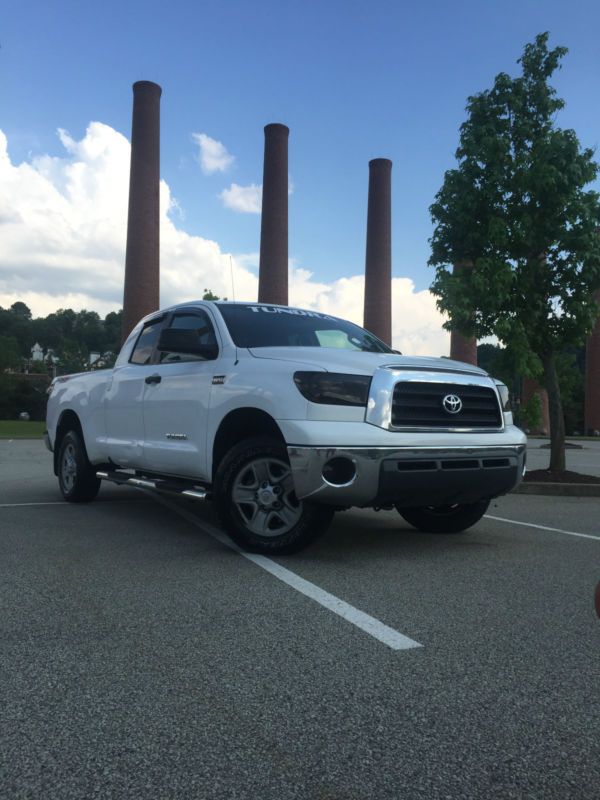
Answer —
252 325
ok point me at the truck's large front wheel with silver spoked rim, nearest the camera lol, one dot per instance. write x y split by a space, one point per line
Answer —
275 523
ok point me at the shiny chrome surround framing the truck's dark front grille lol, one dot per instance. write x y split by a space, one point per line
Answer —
380 406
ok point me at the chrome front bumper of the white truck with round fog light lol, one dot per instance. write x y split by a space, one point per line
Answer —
409 476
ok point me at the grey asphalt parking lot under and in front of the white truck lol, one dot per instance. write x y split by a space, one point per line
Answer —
142 657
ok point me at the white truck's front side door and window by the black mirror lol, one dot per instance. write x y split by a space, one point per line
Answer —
176 403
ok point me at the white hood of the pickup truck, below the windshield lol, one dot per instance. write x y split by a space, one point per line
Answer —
331 359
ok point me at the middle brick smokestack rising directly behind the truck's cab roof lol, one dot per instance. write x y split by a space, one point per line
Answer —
273 269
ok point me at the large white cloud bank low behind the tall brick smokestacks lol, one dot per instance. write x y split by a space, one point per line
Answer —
63 223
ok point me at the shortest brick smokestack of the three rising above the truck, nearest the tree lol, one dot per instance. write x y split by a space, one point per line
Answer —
378 263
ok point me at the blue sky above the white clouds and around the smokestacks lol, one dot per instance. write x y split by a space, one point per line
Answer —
352 80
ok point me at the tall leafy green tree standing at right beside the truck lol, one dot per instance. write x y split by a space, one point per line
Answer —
515 212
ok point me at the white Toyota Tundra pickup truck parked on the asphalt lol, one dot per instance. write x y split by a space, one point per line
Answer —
283 416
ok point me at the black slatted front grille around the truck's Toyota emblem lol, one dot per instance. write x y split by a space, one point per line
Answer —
421 405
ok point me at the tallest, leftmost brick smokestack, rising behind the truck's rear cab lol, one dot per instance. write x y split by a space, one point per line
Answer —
142 264
